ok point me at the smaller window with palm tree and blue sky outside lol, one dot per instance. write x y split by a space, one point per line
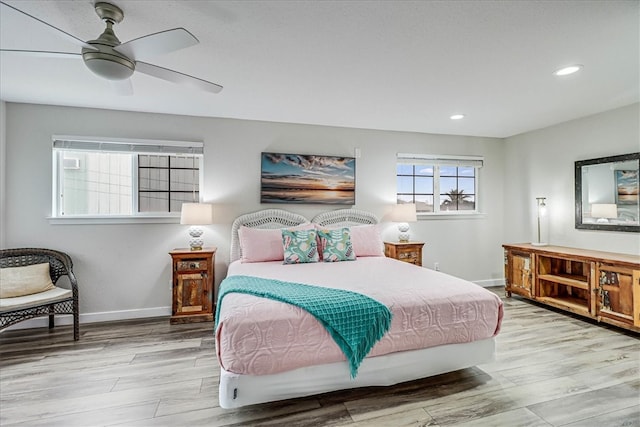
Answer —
438 184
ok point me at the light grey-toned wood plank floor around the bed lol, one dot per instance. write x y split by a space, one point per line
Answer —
552 369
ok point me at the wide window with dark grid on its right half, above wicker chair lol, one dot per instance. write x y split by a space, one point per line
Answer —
99 177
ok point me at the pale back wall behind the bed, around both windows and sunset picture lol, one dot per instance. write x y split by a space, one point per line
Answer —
124 270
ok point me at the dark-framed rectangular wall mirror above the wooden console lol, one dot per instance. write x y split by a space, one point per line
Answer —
607 196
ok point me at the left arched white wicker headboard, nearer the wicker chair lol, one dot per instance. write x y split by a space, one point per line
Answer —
267 218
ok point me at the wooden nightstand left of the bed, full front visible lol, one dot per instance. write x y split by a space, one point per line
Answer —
193 293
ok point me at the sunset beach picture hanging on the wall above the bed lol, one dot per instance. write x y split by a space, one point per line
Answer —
308 178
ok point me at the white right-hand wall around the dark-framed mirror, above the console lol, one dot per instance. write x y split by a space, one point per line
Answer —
541 164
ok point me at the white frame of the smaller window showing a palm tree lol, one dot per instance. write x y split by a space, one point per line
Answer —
436 161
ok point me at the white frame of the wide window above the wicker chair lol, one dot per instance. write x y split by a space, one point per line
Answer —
63 143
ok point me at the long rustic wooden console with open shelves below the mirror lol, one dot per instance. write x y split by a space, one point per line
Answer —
601 285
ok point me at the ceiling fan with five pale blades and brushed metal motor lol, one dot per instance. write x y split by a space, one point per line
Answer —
107 57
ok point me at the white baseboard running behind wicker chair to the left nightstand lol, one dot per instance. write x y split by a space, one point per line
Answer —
106 316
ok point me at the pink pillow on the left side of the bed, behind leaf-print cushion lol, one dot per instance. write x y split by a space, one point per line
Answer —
261 245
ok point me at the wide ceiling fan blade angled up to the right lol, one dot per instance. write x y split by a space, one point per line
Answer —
157 43
